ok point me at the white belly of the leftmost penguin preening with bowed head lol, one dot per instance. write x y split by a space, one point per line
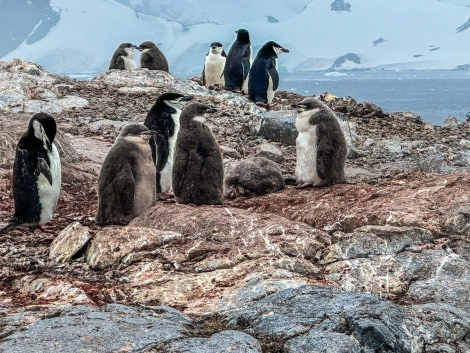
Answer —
49 194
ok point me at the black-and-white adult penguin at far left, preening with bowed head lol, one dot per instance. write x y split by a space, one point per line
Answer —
37 174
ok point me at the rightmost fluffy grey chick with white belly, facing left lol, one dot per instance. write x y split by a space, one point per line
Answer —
320 146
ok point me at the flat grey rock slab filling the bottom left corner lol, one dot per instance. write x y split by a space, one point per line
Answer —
115 328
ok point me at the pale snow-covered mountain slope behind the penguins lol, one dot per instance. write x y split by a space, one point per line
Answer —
71 36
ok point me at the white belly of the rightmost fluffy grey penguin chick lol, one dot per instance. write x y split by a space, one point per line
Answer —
306 149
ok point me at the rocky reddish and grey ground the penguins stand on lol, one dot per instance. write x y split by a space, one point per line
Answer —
380 264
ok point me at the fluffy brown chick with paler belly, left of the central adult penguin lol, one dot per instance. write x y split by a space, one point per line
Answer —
126 184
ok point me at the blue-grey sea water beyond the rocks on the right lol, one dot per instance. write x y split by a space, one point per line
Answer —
434 95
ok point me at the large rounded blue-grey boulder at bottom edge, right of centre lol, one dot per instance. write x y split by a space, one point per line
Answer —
377 325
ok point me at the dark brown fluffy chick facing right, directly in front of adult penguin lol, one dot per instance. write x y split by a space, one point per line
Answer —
198 172
